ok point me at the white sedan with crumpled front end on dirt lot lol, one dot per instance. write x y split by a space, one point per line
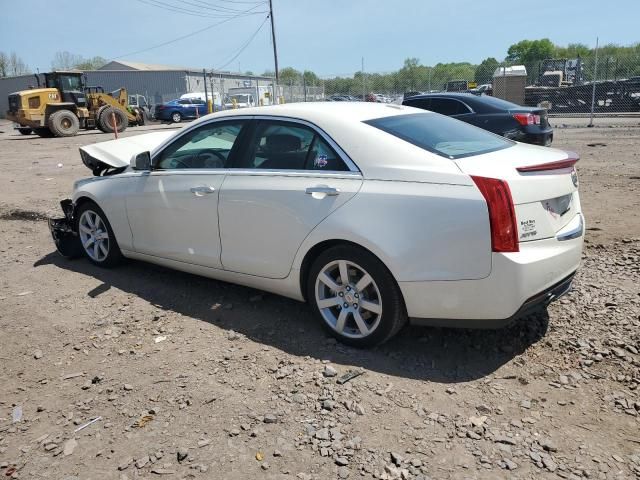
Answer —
372 213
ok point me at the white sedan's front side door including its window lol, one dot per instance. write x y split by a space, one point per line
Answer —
173 209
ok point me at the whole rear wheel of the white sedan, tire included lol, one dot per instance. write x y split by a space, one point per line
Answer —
385 313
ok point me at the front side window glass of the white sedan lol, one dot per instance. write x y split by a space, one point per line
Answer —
208 146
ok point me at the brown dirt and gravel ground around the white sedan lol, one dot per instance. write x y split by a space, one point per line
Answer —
192 378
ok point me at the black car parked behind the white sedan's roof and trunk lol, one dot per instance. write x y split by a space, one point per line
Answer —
523 124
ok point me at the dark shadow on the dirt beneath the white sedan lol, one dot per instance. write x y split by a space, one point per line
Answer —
432 354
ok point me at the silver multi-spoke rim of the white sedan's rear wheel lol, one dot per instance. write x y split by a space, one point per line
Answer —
348 299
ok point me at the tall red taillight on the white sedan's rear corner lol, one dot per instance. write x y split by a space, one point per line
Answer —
502 215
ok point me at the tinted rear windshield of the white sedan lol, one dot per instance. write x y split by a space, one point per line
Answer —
442 135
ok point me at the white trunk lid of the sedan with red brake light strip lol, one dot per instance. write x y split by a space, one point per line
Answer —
545 197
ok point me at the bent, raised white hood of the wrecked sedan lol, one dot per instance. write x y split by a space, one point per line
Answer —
118 153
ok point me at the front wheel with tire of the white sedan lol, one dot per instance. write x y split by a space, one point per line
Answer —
88 213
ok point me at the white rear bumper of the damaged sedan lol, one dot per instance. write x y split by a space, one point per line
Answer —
535 276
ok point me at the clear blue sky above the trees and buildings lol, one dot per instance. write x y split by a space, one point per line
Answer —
326 36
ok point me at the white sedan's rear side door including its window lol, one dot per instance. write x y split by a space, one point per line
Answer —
290 177
